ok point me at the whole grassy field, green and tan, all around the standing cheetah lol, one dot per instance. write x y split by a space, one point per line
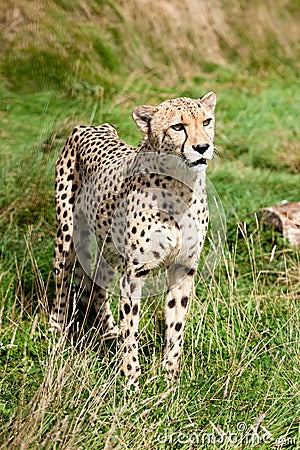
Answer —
239 386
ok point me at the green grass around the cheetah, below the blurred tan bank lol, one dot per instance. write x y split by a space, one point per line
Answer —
242 338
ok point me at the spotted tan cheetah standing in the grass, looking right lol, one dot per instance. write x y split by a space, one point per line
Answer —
147 208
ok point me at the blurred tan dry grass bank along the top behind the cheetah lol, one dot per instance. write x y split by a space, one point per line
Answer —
173 39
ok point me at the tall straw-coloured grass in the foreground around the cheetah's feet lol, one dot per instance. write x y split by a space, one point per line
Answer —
237 344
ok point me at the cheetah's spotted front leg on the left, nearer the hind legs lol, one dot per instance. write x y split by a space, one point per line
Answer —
131 289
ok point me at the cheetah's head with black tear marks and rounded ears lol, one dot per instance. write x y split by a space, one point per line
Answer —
182 126
